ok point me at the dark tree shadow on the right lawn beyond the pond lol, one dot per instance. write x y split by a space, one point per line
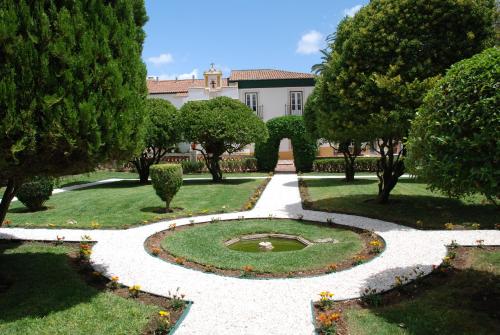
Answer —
434 212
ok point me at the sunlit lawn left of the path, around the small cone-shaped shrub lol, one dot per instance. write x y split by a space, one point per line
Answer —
125 203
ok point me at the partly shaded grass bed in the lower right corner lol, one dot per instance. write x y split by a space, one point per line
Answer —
465 304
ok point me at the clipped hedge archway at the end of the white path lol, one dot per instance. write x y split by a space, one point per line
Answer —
292 127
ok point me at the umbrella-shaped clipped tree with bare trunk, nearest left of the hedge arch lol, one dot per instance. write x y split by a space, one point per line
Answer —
220 125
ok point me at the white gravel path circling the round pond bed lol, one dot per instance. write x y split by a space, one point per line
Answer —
228 305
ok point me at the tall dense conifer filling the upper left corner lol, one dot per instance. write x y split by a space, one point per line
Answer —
72 86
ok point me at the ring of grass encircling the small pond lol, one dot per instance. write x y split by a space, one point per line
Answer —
205 244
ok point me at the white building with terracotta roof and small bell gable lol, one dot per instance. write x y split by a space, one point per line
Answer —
270 93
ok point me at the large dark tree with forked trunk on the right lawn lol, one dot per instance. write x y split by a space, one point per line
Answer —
391 53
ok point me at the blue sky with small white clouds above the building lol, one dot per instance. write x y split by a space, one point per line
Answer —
183 37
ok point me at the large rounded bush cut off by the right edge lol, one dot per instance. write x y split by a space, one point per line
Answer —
455 138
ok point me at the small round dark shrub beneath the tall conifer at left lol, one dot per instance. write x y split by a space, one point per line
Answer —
35 192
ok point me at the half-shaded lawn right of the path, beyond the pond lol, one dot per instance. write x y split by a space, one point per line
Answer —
410 202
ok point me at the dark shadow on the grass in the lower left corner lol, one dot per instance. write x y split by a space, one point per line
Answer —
41 283
